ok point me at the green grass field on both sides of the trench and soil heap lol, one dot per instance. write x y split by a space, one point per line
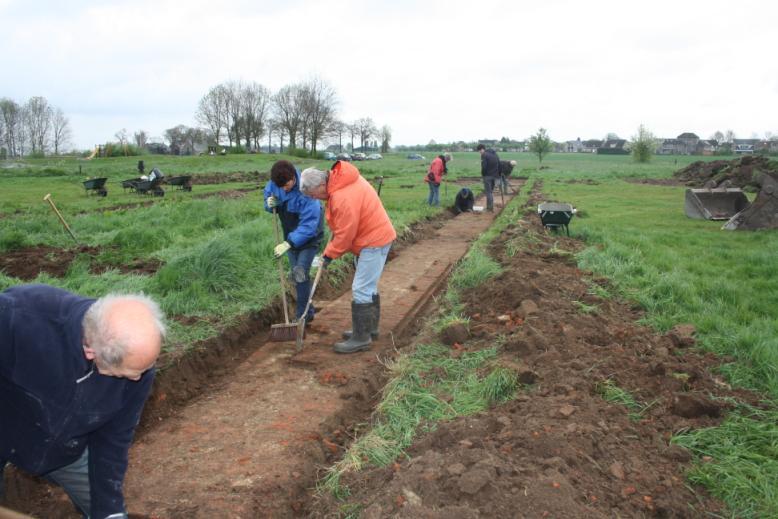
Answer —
217 264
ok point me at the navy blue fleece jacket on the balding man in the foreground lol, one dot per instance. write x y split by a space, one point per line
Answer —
54 402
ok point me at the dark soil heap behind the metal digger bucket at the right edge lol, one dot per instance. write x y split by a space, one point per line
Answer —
742 172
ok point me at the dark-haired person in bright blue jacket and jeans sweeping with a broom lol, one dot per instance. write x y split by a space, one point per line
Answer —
302 223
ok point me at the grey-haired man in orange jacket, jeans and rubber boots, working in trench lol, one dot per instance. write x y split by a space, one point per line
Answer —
360 225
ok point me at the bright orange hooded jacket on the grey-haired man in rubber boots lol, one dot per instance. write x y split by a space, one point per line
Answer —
354 213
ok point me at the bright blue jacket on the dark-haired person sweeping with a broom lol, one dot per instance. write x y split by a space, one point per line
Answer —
301 216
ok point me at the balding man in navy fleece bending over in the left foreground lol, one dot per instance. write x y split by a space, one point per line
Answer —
75 373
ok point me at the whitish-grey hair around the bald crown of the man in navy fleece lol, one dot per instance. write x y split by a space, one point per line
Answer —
109 344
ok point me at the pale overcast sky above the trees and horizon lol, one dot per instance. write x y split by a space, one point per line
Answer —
443 70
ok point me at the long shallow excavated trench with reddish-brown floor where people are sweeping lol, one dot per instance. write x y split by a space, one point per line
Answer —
250 441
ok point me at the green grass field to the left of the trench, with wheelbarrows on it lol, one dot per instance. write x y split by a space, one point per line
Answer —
215 251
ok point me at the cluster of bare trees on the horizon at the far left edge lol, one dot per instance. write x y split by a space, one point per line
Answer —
34 127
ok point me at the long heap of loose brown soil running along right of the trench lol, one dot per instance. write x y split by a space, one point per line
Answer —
559 449
